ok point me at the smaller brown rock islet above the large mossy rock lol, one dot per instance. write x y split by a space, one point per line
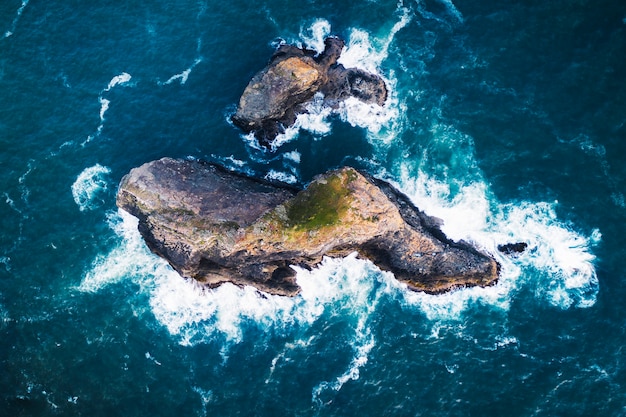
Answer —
281 91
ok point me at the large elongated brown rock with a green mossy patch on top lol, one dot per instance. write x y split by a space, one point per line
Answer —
217 226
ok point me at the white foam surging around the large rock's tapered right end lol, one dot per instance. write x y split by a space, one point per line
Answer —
558 260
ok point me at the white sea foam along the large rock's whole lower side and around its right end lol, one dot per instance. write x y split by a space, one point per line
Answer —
352 289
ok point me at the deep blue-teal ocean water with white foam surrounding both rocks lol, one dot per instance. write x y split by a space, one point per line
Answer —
505 119
